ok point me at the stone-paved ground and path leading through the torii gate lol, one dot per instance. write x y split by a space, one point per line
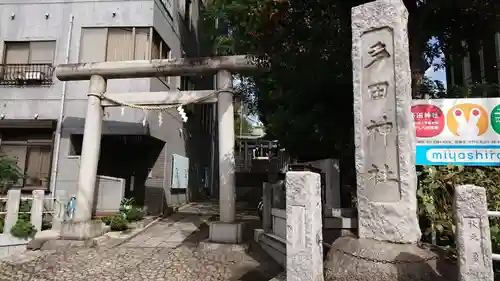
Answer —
172 249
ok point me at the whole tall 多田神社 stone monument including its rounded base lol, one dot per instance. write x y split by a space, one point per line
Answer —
385 151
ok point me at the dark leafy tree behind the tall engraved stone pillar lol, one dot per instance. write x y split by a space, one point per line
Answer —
306 100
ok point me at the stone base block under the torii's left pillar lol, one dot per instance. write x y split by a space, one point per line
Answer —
82 230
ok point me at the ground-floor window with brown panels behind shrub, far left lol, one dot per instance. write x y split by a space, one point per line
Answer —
33 154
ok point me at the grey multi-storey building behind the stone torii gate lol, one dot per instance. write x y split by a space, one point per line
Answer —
137 147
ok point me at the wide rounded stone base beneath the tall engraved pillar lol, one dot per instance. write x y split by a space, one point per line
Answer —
351 258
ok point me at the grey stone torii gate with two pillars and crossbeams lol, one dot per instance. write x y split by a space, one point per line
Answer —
81 227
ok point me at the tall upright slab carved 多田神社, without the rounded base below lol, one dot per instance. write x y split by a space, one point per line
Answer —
384 127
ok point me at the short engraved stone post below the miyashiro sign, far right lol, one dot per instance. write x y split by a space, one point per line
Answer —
473 234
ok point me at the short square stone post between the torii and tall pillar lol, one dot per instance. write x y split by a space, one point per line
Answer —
304 248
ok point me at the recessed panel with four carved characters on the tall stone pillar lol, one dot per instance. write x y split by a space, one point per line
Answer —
381 166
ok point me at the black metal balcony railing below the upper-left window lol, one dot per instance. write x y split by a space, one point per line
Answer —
37 74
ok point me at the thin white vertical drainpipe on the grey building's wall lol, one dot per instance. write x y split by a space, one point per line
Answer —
55 163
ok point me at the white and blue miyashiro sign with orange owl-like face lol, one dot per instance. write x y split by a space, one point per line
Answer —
457 131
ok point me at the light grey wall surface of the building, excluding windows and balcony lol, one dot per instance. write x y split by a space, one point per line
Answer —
30 23
